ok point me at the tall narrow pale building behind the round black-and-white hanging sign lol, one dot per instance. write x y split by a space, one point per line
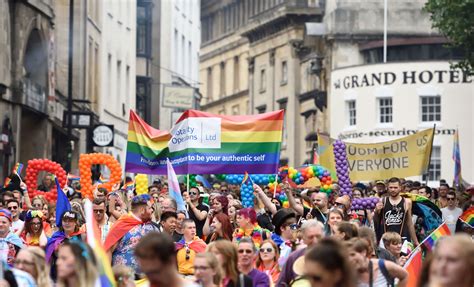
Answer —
116 67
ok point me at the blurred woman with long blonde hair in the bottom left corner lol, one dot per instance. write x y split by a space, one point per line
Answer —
33 261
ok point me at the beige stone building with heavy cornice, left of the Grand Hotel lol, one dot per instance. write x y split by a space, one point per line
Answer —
255 58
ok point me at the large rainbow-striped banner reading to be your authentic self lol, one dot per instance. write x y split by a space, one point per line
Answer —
204 143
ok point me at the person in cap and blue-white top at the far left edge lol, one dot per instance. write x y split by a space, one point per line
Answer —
10 243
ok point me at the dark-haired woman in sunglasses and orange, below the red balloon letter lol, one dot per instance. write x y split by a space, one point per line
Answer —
33 233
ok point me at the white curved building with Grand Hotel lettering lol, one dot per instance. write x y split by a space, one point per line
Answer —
371 101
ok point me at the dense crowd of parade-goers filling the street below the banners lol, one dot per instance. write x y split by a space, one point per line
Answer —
313 239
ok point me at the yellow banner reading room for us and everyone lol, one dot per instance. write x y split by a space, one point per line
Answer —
407 156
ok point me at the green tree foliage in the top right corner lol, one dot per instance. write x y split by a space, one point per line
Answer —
455 20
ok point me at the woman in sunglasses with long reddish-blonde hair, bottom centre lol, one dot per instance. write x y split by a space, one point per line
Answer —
267 260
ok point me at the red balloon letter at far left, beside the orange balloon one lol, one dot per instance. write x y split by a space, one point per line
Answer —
37 165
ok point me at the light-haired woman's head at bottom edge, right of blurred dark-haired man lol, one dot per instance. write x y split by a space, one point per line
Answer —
207 270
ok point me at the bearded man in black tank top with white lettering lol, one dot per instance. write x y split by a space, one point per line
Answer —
393 213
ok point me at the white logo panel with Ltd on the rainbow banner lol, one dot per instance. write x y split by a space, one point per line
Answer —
196 133
